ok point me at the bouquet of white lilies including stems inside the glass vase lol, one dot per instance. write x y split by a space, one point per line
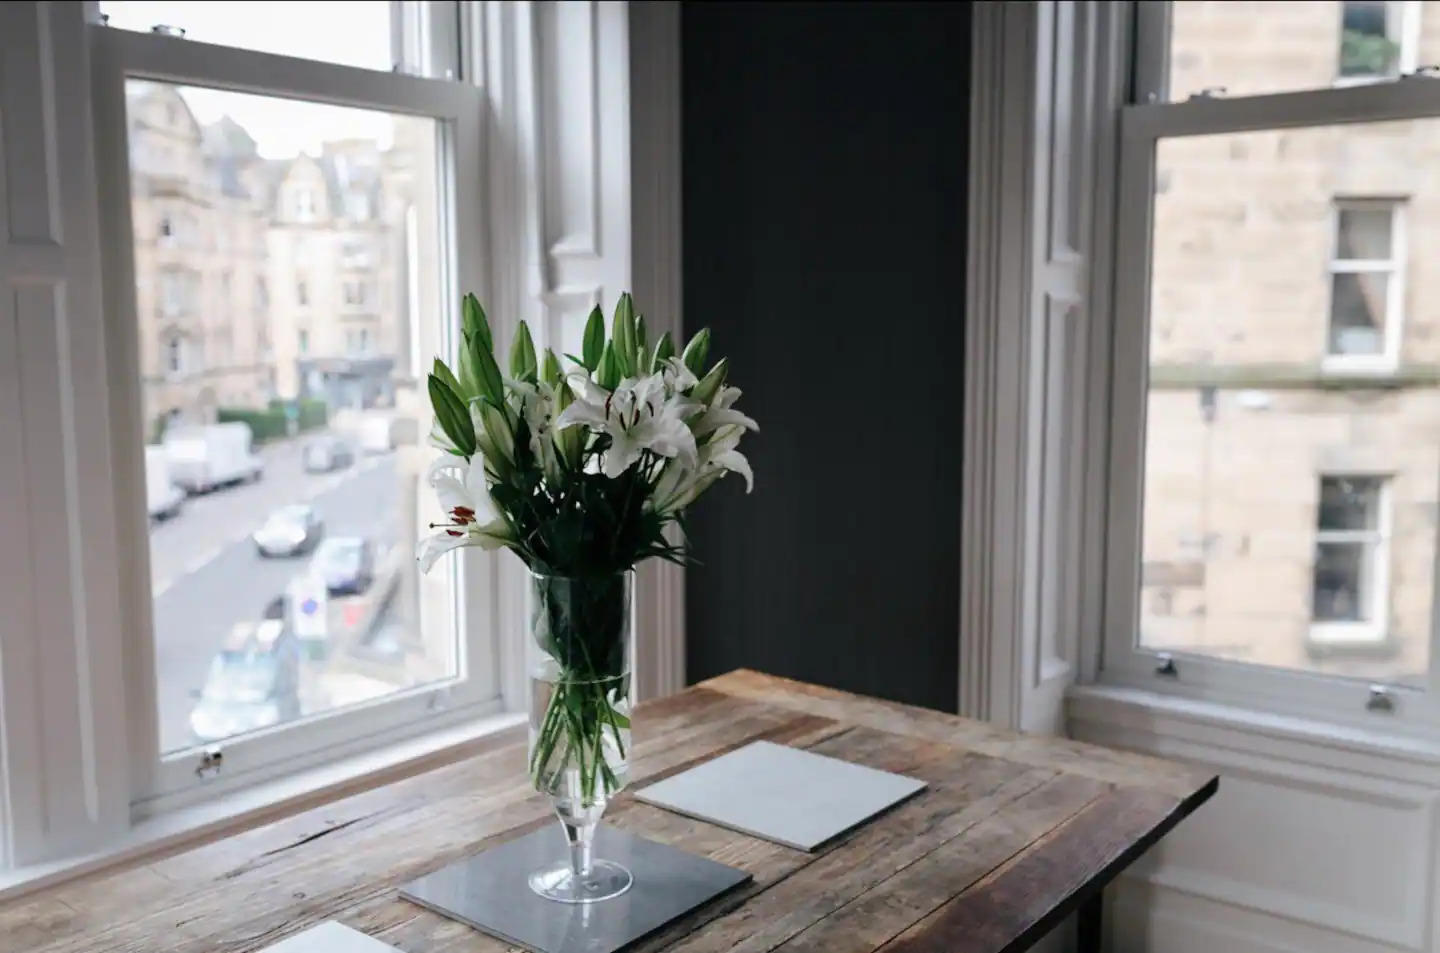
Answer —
580 474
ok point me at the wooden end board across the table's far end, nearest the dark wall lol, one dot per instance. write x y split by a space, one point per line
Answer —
1068 755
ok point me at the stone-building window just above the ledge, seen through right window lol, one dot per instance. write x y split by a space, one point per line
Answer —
1367 286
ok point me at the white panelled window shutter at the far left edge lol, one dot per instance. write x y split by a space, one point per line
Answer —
63 732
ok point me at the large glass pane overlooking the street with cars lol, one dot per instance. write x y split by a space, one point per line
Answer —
284 256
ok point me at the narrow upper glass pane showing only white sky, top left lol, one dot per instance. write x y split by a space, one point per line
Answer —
355 34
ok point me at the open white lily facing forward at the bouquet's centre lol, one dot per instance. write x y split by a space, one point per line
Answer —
640 415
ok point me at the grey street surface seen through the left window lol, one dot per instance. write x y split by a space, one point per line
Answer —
208 577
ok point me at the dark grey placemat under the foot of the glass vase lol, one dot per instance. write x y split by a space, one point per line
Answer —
492 893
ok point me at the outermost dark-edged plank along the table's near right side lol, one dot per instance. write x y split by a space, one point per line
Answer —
1017 905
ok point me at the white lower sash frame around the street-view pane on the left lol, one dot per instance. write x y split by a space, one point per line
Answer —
166 782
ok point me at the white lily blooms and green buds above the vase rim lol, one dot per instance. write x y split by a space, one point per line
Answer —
578 473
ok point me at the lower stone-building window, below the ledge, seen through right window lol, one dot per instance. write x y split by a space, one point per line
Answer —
1351 556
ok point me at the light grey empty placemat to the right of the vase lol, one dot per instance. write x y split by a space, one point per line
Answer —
781 794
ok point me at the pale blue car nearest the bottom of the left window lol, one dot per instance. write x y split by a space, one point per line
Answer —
253 683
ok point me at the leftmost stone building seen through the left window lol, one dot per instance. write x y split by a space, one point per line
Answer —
201 251
